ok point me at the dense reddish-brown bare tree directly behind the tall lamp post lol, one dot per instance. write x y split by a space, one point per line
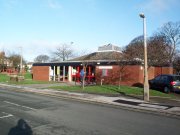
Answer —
157 51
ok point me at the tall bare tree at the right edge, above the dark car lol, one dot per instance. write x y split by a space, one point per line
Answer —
171 32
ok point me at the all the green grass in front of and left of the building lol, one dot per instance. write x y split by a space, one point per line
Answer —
105 89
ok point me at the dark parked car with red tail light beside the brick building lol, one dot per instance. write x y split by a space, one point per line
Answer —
166 83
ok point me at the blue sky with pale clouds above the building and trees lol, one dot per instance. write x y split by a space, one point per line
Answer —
39 26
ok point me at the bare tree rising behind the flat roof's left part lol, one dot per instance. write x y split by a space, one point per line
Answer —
63 52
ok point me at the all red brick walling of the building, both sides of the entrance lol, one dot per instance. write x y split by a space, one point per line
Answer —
132 75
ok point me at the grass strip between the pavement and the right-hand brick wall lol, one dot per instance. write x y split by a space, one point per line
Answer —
111 89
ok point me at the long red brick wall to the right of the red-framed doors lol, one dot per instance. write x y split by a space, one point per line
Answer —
132 75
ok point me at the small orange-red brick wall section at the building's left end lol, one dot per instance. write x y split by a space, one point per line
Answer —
41 73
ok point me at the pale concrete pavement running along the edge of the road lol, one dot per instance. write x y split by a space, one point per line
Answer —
119 101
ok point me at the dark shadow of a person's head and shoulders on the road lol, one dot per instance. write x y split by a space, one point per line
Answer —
22 128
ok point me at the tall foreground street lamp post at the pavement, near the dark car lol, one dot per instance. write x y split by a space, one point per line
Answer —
146 84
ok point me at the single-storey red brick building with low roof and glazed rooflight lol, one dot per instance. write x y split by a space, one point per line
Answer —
101 67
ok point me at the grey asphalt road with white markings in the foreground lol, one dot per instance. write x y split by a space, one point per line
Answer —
31 114
